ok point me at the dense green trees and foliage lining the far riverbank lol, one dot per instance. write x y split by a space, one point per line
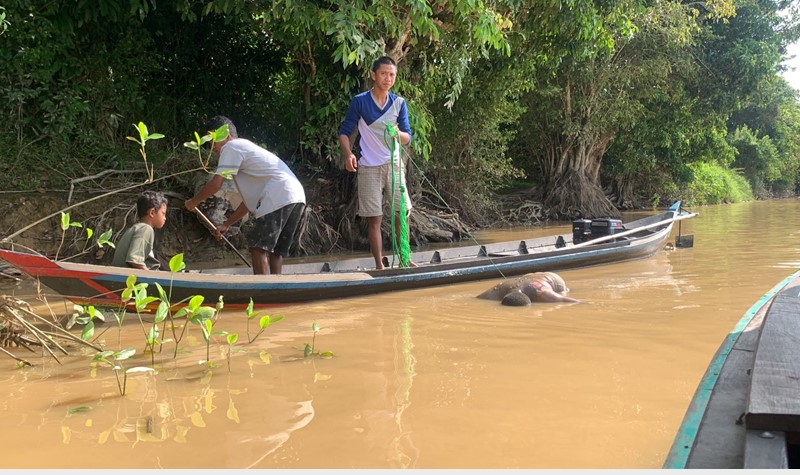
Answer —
596 104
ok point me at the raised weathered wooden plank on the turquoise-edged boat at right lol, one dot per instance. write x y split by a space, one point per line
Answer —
774 397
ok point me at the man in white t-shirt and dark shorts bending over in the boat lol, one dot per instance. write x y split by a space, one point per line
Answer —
270 191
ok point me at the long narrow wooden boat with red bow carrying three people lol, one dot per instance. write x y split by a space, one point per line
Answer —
299 283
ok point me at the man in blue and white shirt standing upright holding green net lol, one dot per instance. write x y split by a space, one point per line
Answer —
372 112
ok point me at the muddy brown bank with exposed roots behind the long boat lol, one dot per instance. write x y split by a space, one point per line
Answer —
34 220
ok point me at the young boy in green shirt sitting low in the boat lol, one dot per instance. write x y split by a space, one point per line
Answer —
135 247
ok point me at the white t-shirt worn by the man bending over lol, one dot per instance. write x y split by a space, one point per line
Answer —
265 182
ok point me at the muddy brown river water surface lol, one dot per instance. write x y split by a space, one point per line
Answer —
431 378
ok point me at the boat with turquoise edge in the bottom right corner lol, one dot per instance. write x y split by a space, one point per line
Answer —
745 413
